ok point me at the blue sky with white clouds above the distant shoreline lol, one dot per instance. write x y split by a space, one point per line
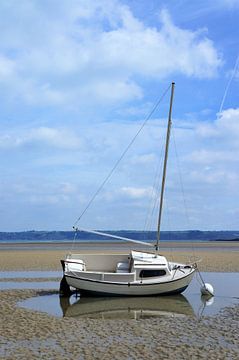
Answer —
78 78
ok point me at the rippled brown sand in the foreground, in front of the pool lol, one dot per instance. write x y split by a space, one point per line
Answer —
31 335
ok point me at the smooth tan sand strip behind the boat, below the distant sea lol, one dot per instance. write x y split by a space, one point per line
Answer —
214 256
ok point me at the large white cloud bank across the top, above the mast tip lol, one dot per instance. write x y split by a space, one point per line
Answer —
81 52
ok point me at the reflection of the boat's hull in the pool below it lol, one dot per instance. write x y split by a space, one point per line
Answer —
126 308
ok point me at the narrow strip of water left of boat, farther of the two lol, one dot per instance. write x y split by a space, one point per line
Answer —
29 274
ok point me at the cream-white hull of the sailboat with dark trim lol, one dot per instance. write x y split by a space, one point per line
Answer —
136 288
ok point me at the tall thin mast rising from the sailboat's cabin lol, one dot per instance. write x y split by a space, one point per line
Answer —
165 166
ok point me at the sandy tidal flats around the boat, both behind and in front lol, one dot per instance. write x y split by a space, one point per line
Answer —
28 334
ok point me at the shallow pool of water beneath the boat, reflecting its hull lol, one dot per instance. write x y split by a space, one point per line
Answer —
189 304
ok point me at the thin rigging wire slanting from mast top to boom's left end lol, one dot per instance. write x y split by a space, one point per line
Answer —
121 157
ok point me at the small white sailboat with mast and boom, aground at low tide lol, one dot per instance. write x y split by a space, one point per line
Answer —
139 273
